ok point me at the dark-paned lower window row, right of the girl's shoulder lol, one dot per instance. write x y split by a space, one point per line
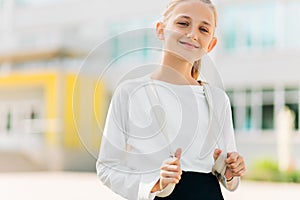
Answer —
254 110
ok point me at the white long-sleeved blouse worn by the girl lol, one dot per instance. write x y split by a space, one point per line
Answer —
134 145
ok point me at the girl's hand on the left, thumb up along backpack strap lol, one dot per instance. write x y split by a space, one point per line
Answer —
170 172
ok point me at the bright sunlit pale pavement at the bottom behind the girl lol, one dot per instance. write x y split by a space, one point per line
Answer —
85 186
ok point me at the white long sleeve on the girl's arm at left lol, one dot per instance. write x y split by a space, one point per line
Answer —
111 164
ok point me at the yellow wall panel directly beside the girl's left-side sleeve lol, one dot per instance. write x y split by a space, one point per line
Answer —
85 107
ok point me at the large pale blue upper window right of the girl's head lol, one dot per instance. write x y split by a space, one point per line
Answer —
260 25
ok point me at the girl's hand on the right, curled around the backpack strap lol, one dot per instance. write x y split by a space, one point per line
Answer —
235 164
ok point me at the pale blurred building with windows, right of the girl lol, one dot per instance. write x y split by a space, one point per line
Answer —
258 57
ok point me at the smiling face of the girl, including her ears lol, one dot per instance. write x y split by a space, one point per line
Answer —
188 32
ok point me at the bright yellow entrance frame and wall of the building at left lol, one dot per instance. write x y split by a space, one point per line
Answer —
53 86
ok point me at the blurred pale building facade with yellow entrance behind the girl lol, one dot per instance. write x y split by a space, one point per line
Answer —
257 57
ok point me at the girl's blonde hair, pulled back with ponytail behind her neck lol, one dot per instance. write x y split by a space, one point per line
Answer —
166 15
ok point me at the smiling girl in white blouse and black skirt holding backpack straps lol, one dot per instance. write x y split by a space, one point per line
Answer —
170 111
